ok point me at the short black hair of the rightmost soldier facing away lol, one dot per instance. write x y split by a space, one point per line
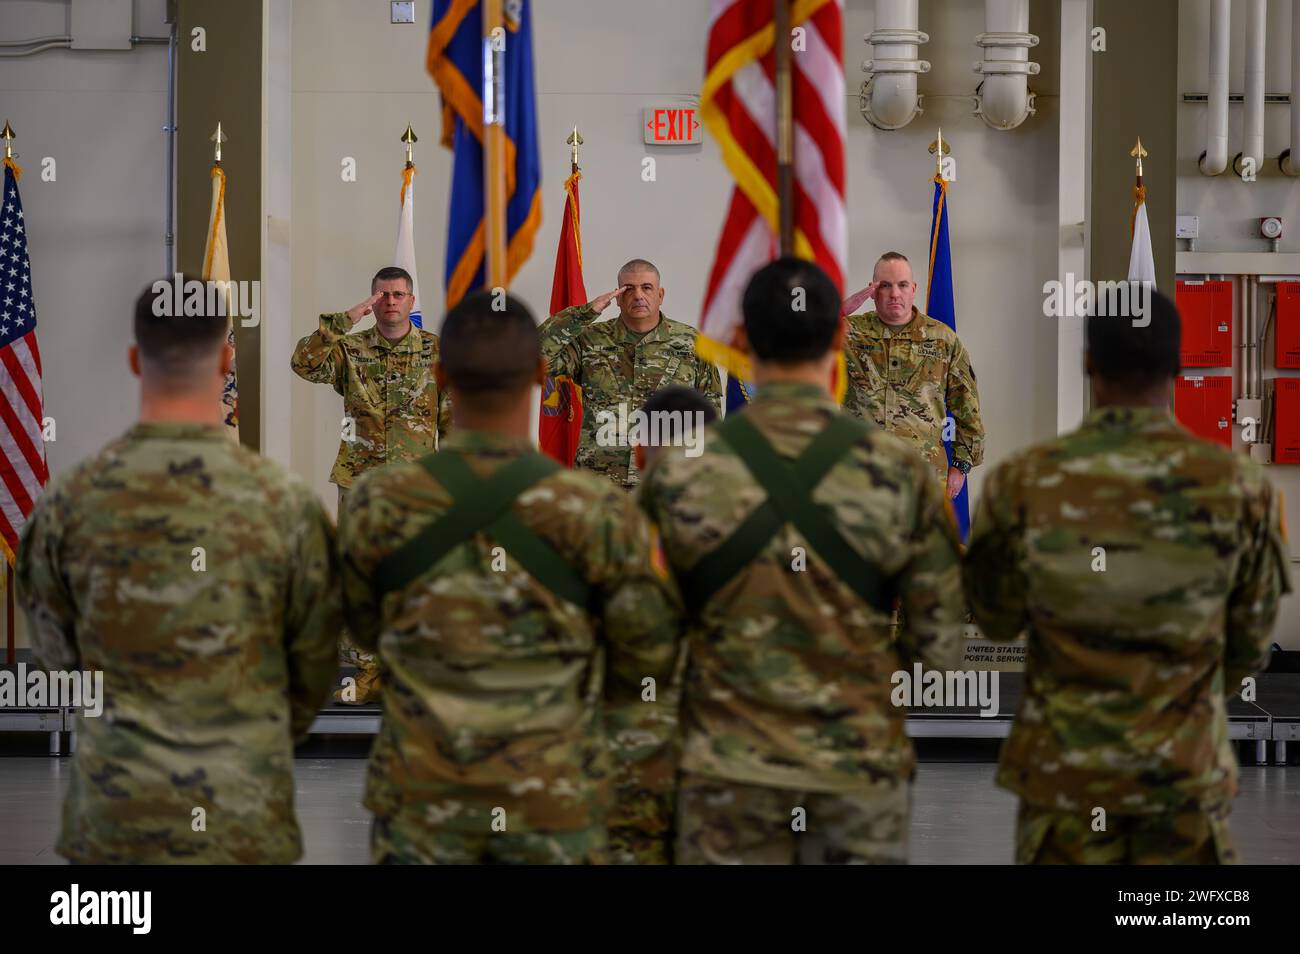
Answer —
1137 357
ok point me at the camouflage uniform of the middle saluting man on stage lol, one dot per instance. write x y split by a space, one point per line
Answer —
617 366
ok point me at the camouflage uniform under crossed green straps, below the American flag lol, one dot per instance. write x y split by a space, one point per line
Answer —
787 701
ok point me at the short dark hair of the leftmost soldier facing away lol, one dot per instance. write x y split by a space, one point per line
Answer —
175 331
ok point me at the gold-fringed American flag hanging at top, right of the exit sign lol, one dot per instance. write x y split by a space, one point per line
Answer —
739 107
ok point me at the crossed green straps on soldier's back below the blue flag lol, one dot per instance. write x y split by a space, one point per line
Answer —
484 506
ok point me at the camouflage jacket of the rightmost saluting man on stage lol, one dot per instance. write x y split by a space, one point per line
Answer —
907 379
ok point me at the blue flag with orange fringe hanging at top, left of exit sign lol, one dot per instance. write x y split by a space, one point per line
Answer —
457 54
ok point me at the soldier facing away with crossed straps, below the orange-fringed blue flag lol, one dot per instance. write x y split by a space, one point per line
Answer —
509 600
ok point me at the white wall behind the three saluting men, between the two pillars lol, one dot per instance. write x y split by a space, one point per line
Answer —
599 66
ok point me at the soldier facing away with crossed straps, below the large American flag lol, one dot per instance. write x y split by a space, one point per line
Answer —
794 536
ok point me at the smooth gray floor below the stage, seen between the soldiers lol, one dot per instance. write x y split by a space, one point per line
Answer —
959 817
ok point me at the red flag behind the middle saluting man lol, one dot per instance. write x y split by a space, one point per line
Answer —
561 423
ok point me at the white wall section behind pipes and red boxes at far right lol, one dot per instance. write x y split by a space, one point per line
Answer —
1229 209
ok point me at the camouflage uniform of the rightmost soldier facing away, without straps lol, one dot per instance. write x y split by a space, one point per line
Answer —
1147 567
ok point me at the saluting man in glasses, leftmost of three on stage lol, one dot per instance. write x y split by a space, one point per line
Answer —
393 409
